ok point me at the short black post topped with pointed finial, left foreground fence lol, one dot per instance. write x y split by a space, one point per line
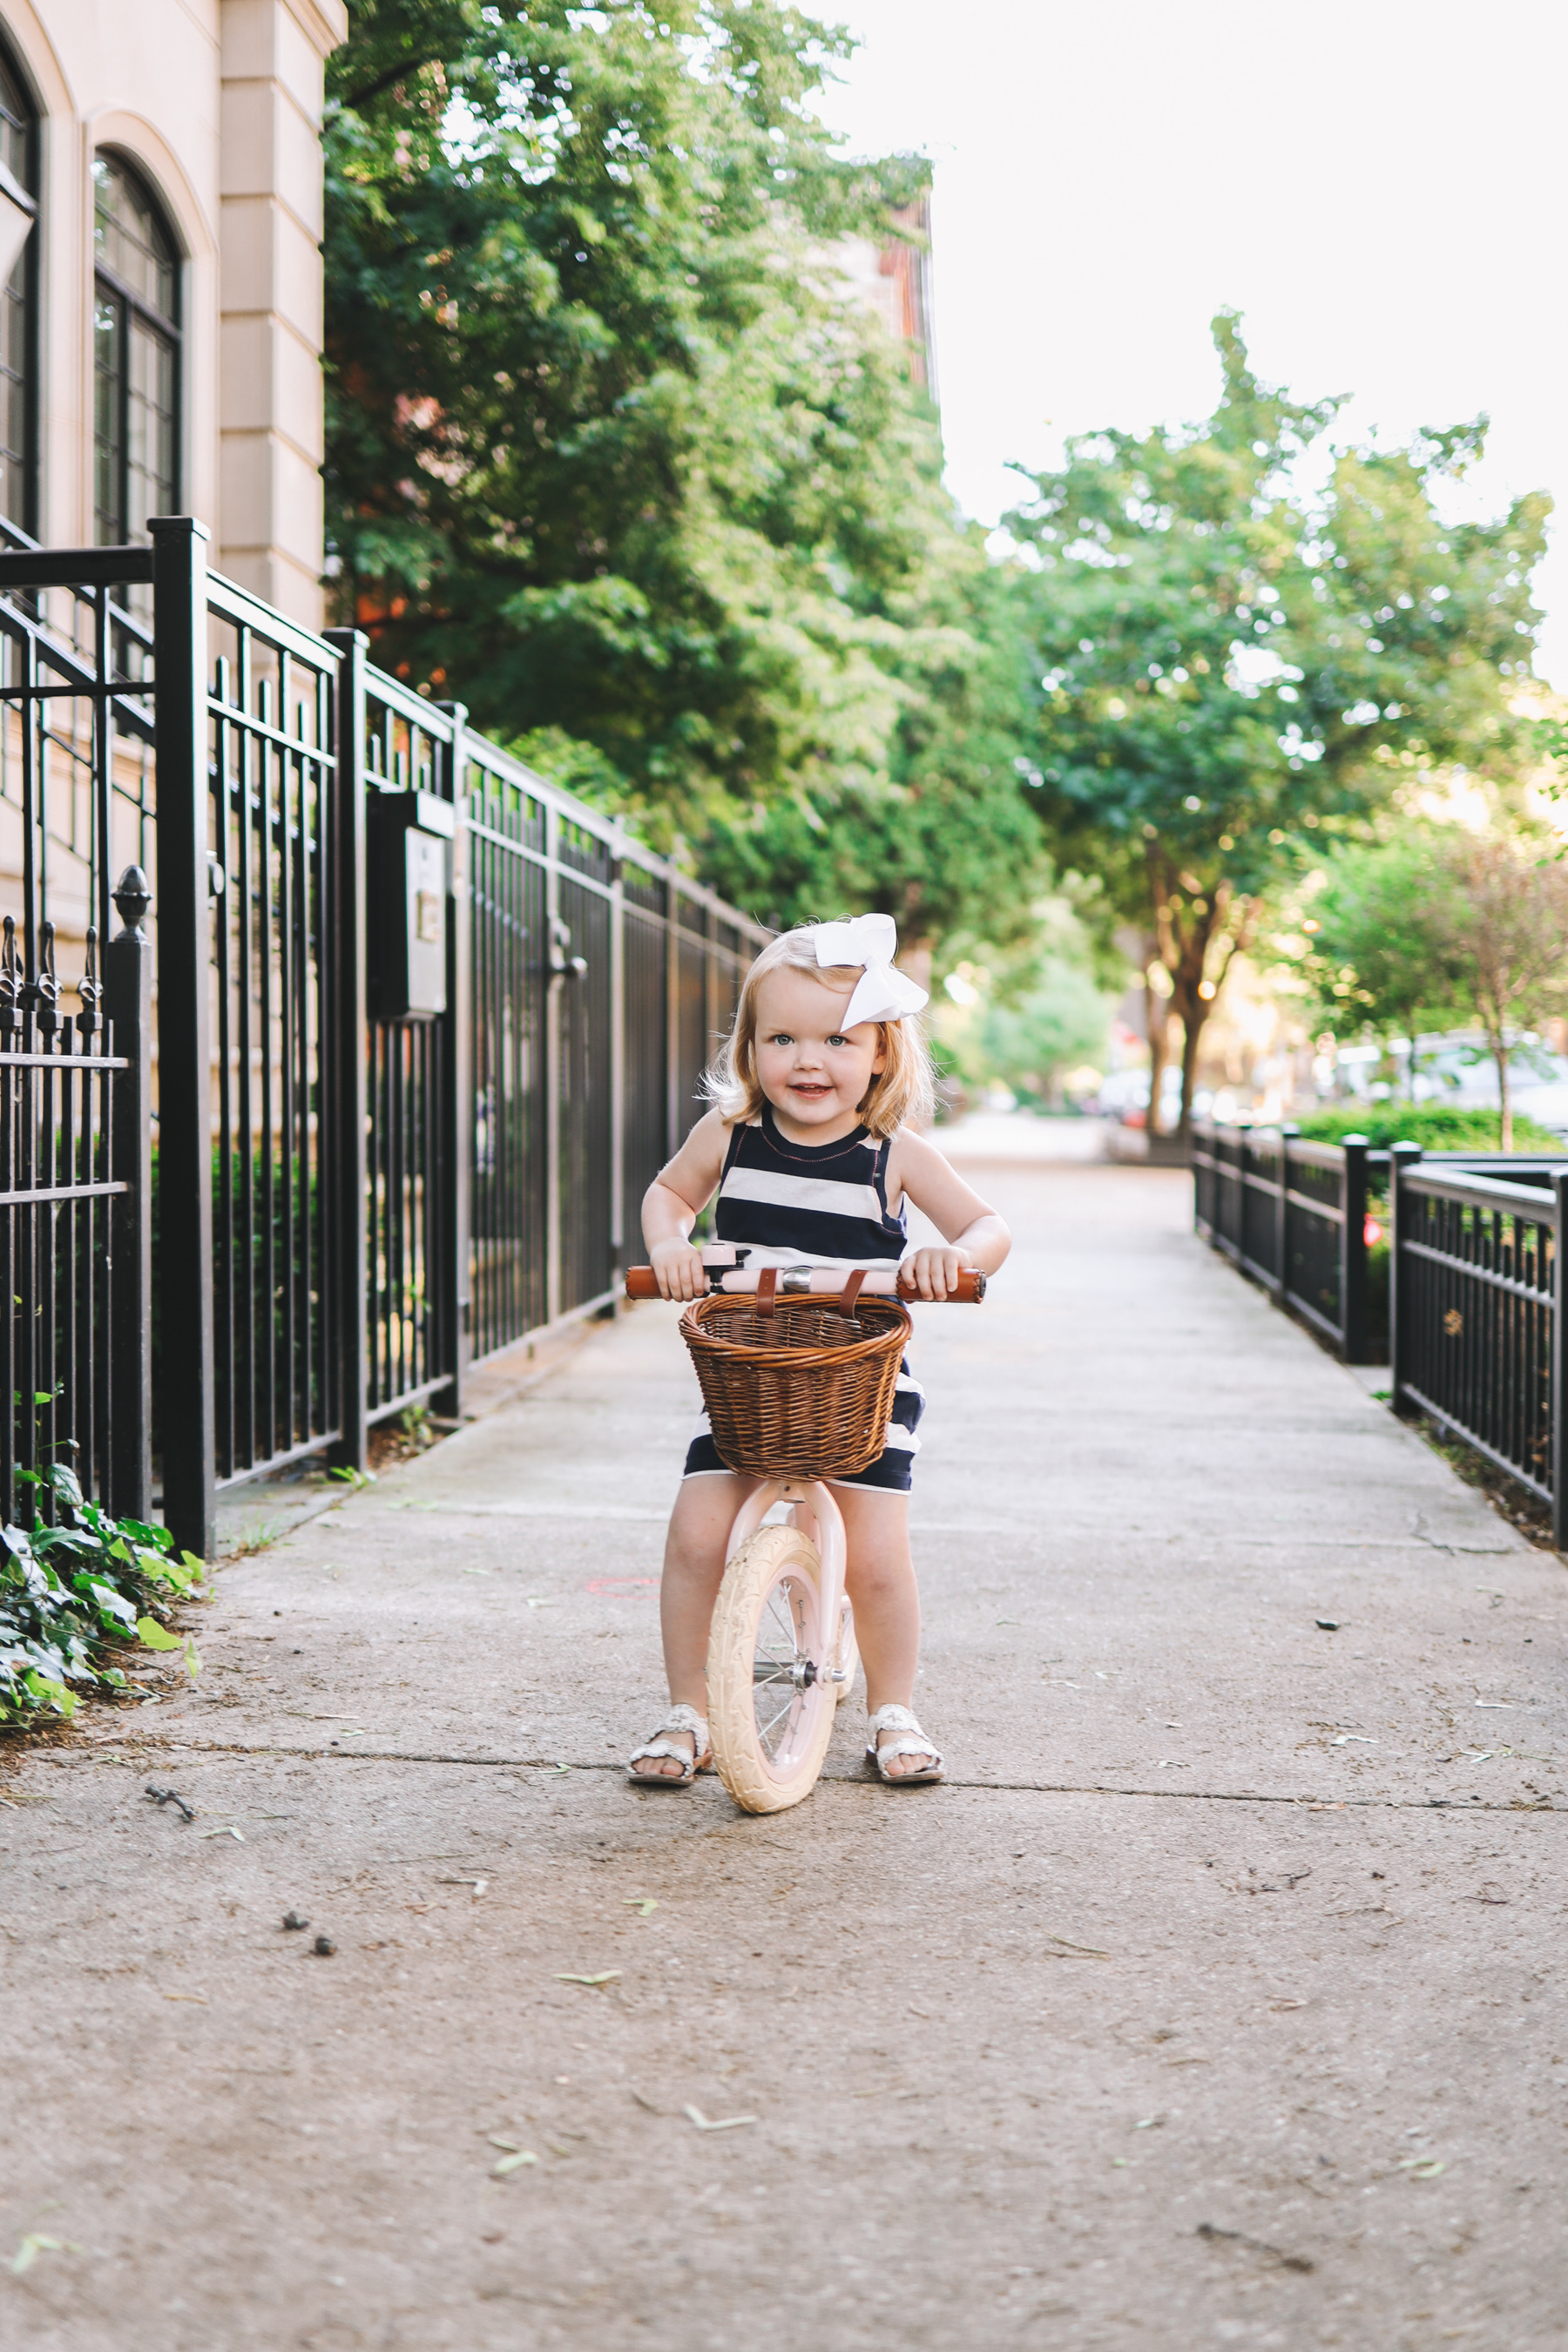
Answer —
128 998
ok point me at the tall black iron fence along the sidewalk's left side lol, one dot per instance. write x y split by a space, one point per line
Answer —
424 1029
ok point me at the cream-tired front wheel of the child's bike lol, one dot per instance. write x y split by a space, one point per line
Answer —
770 1749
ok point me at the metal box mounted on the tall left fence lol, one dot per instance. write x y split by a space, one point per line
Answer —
406 904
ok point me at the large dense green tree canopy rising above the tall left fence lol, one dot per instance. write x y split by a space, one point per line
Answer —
617 460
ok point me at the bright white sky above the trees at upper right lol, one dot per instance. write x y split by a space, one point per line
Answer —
1376 187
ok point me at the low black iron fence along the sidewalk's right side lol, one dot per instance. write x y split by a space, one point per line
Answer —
1475 1252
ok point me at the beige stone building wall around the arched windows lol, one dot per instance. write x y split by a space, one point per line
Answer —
220 107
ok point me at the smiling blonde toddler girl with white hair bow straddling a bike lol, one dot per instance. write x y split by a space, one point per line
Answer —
815 1149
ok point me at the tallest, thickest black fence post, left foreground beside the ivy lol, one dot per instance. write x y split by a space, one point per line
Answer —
185 1055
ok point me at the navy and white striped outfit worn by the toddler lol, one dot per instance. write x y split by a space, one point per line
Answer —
824 1205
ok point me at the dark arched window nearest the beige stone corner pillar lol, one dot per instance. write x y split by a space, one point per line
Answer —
135 356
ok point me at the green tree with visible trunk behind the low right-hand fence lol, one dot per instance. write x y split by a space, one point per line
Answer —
1233 669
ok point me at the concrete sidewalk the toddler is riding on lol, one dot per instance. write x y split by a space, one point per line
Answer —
1214 1998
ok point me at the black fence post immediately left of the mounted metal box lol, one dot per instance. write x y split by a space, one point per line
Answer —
349 1095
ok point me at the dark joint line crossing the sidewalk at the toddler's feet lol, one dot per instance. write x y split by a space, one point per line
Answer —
109 1751
